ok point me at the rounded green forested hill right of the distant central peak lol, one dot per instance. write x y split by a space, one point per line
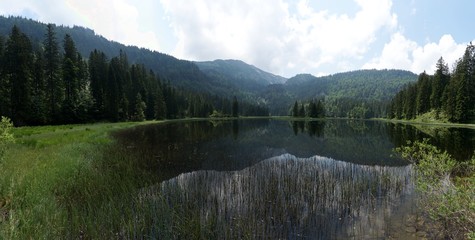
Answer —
356 94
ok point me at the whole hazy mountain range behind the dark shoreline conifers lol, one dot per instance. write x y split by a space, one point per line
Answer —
226 78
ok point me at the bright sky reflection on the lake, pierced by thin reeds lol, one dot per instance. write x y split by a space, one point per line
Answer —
292 198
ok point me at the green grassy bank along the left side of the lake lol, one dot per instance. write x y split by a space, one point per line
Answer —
67 182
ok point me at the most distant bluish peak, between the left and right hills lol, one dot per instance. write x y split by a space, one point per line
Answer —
239 73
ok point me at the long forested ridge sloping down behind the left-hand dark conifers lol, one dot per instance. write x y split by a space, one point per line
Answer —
180 73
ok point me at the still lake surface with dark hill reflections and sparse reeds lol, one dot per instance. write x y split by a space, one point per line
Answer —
273 179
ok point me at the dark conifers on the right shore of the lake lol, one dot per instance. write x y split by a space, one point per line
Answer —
449 95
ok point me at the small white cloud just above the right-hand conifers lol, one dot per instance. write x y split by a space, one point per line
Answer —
402 53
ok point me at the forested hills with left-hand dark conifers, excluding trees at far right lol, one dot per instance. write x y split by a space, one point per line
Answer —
110 80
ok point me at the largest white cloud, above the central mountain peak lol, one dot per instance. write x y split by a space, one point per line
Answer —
266 33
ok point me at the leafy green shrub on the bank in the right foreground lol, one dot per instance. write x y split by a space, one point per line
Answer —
447 189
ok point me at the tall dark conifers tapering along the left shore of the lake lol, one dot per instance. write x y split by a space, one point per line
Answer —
51 83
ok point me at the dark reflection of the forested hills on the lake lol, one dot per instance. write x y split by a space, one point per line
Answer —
173 148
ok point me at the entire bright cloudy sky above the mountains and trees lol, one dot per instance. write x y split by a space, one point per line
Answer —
284 37
